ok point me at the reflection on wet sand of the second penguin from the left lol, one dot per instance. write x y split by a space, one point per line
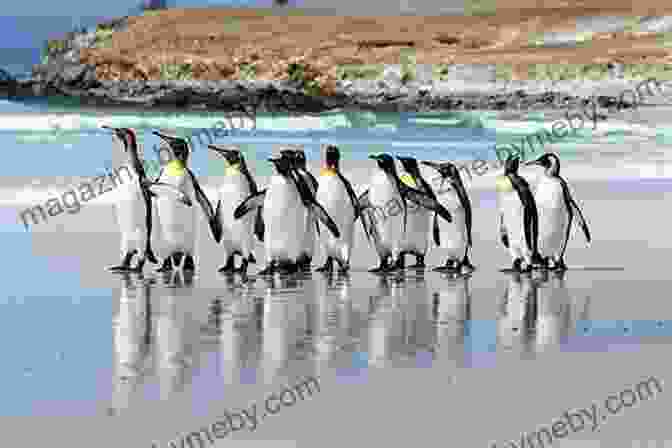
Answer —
172 325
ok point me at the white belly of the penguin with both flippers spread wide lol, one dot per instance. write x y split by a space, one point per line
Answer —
284 218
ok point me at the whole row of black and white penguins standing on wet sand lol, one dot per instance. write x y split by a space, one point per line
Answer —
287 214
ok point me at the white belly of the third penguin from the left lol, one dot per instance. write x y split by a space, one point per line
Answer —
237 234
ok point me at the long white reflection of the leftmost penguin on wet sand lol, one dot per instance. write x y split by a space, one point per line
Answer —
132 335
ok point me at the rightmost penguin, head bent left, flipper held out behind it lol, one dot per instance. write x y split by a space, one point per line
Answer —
557 209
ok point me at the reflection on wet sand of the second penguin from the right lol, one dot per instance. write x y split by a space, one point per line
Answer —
515 325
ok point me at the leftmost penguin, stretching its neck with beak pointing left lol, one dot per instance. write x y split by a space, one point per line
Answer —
133 207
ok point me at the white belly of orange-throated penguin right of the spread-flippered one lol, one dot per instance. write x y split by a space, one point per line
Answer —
333 196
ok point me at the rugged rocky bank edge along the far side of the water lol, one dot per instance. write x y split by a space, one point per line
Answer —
465 87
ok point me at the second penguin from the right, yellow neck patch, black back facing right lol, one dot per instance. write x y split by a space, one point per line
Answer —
518 217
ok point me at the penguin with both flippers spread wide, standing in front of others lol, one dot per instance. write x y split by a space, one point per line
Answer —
284 203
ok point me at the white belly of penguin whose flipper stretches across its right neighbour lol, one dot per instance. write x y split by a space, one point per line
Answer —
389 212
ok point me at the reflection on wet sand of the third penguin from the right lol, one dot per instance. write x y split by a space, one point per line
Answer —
452 313
